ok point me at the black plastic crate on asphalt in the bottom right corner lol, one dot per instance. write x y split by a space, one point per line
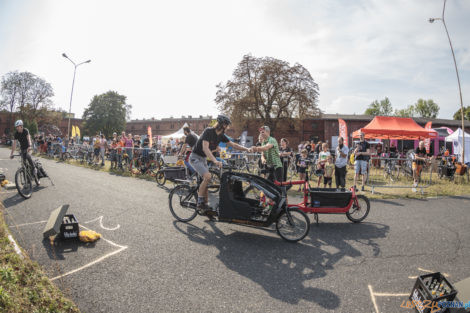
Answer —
434 287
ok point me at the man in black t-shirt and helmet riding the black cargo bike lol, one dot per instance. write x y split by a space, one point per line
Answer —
209 140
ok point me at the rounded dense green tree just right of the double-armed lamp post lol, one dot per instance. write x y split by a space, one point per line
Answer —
106 113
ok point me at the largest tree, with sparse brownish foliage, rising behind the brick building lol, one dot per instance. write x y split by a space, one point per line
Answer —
270 90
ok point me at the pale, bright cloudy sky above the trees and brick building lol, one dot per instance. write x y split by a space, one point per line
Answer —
167 56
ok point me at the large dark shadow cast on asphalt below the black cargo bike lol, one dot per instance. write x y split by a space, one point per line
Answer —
284 269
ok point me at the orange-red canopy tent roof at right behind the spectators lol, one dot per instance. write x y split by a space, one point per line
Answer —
389 127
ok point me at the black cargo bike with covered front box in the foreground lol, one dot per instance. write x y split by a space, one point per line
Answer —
244 199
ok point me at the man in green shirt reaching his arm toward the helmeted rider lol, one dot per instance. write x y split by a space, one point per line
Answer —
270 155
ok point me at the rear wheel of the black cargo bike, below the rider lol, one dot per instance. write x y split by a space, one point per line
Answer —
183 202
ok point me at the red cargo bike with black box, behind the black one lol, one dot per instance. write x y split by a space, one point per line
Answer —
330 201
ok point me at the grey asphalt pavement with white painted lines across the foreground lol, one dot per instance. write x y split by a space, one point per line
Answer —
148 262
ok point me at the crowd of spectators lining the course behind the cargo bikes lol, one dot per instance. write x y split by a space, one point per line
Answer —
274 162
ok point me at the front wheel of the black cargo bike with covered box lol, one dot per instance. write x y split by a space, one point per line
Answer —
293 225
